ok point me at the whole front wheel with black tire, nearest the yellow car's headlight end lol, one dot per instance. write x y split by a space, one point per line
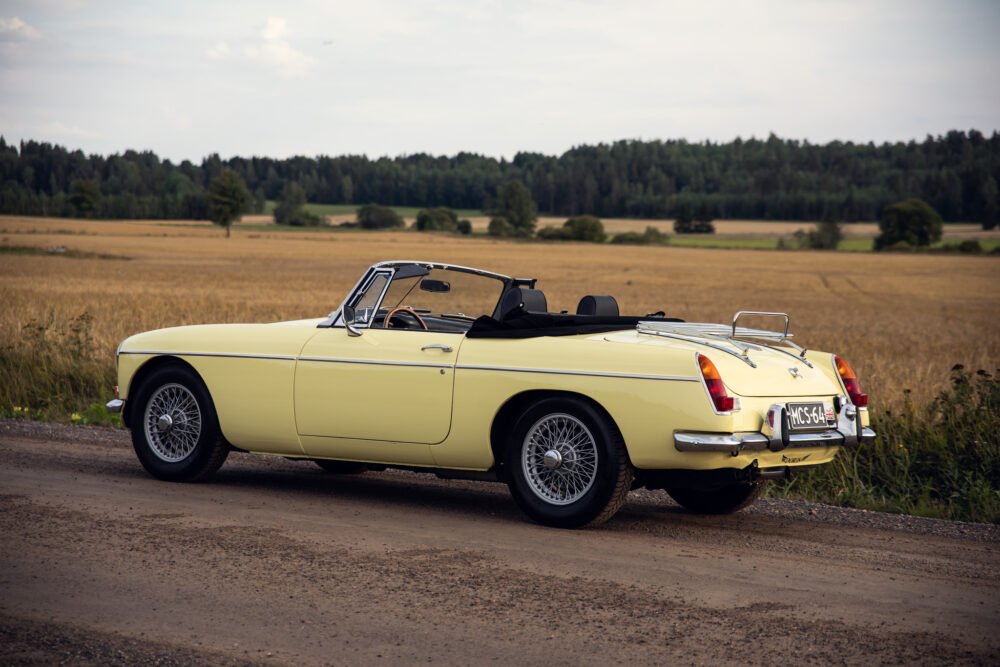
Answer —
189 450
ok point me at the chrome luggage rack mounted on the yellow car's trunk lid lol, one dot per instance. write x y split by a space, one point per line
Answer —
725 337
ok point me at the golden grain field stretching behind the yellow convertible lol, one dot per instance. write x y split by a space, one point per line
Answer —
903 321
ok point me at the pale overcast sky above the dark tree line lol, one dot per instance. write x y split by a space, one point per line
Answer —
391 77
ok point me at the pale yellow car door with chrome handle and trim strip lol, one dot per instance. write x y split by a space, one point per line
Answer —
385 385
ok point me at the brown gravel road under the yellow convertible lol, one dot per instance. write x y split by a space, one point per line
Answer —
277 562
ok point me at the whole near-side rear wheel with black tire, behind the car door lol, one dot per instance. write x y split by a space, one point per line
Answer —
609 480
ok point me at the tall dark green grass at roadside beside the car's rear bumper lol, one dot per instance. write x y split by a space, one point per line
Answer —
939 459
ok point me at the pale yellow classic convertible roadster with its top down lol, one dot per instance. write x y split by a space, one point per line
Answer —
464 373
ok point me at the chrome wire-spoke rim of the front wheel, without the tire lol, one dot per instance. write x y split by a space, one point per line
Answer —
172 422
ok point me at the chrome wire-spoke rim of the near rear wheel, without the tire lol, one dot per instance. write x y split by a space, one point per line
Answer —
559 459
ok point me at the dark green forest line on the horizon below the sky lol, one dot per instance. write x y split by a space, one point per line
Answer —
781 179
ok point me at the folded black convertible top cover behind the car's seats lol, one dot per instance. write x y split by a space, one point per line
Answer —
522 324
